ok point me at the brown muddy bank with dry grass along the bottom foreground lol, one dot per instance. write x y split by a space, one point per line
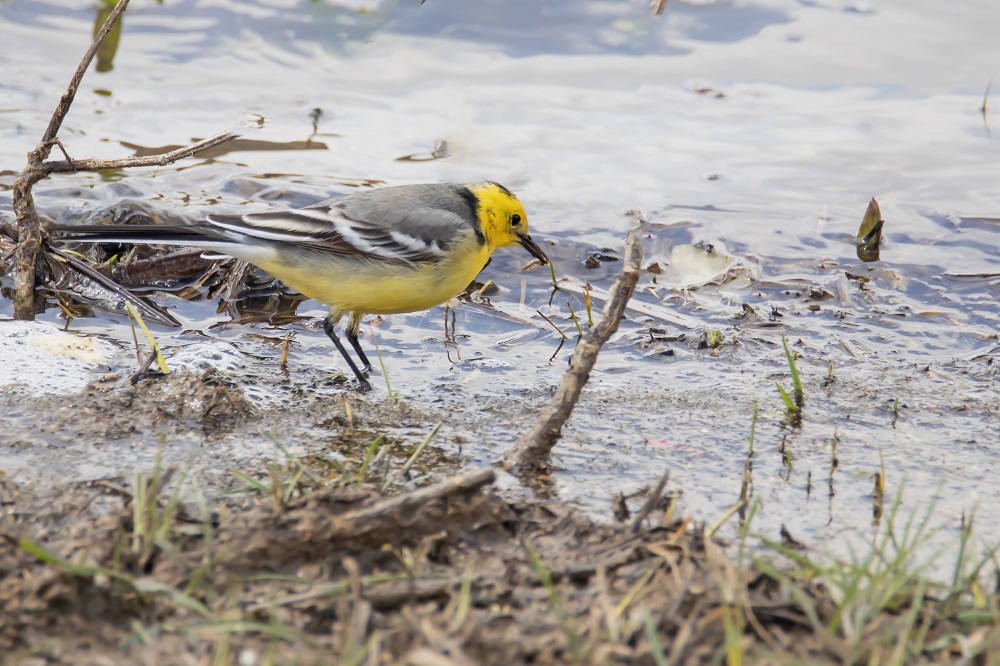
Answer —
450 573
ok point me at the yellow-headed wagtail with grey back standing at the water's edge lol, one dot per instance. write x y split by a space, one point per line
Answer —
389 250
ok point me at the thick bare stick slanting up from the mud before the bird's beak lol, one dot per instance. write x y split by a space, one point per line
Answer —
534 446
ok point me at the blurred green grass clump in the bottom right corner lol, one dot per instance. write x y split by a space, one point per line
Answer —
889 582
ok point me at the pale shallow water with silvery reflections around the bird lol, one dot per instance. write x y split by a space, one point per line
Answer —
761 128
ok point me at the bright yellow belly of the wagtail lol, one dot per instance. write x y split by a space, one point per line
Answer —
349 285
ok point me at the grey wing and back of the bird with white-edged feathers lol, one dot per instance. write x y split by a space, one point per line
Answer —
407 223
